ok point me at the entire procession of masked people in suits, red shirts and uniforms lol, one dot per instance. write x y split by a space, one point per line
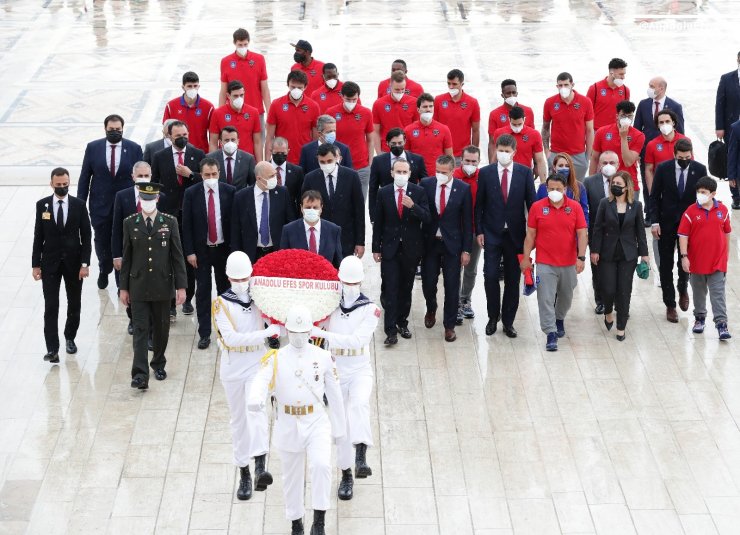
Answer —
229 184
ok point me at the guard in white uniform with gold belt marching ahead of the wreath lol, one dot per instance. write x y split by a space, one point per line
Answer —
299 375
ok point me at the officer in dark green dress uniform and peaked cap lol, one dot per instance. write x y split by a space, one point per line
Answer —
152 268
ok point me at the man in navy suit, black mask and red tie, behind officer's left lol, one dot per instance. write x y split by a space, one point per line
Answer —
106 170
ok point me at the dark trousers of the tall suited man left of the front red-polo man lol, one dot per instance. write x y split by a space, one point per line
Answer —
492 255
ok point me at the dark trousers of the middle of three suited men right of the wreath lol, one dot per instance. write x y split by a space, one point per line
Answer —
435 258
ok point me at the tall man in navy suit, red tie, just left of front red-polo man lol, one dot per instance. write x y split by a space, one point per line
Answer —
505 195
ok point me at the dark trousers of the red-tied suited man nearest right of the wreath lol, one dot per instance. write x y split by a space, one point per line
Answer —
397 277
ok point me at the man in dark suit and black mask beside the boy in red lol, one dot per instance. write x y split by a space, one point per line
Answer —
673 191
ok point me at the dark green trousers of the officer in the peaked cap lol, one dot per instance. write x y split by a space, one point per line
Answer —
156 314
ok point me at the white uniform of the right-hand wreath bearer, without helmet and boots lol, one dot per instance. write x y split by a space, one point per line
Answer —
348 333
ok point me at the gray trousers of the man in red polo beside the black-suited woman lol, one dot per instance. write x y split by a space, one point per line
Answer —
554 282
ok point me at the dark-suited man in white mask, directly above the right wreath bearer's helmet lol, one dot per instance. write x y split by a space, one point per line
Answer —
341 190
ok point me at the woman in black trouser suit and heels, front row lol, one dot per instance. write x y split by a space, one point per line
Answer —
618 241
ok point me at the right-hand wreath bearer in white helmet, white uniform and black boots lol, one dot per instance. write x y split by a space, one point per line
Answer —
348 331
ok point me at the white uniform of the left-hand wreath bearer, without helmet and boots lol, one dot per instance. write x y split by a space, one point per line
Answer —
239 327
